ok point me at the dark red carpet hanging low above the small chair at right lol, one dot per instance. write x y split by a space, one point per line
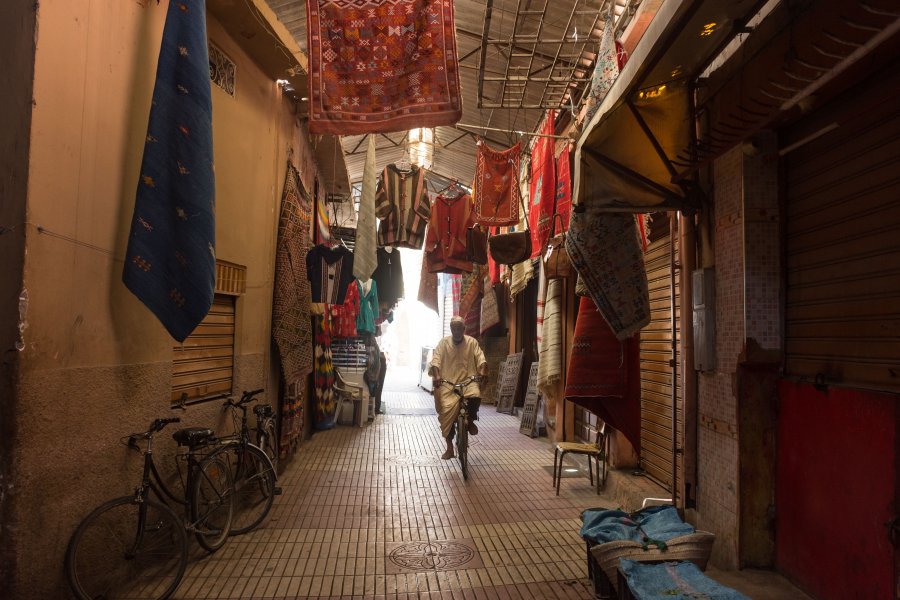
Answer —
604 373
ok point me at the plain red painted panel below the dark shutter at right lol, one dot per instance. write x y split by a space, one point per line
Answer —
837 474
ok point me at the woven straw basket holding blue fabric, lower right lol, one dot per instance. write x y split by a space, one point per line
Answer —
694 547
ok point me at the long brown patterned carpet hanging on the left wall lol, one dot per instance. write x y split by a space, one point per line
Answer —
291 327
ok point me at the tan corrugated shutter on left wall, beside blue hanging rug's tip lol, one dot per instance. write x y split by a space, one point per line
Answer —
204 364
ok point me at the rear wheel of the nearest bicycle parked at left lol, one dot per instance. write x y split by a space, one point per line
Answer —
212 504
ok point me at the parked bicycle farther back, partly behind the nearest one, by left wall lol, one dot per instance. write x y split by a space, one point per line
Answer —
252 469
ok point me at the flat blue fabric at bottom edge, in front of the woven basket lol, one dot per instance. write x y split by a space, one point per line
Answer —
674 581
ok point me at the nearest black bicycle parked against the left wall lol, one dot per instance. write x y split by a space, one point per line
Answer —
136 546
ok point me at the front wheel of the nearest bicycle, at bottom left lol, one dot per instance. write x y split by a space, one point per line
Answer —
127 549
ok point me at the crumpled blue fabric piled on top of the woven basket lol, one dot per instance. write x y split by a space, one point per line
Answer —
657 523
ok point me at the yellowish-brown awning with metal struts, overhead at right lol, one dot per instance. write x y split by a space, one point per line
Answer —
623 161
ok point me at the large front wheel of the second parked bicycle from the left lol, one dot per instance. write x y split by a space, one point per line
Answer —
254 485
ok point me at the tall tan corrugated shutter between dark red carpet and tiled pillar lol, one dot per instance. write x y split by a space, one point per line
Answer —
656 355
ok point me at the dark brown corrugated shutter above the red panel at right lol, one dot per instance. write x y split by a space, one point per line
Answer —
842 313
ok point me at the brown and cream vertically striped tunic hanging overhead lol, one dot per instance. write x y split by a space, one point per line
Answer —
401 202
